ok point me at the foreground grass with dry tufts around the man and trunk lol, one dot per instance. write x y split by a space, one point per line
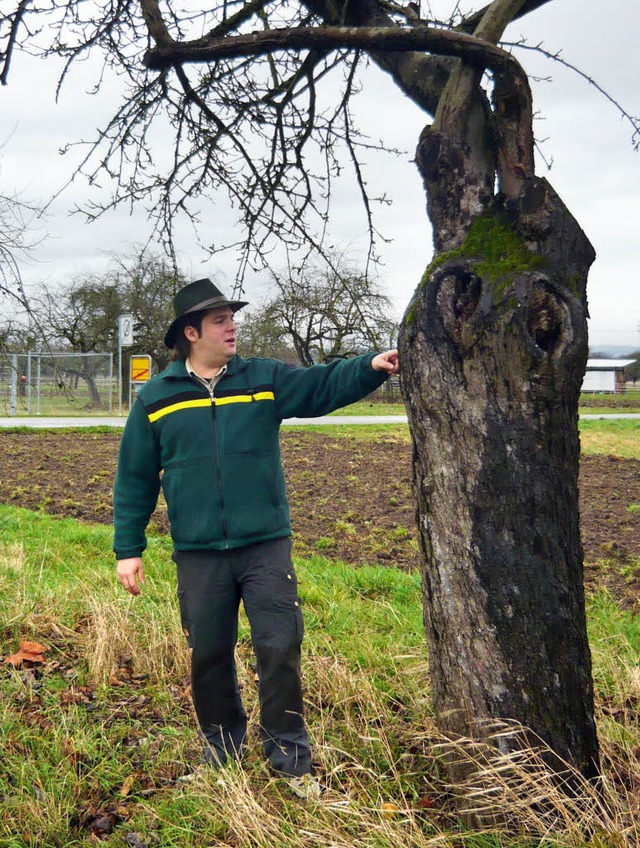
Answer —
97 736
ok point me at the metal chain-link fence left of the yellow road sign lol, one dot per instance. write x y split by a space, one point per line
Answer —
57 384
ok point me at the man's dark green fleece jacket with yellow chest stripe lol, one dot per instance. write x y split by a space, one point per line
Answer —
218 459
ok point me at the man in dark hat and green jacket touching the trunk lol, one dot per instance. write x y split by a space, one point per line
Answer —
207 430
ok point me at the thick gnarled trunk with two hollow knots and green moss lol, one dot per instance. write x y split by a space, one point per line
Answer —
493 349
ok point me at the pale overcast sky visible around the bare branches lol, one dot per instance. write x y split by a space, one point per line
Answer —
595 169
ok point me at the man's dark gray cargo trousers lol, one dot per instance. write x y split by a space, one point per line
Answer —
211 585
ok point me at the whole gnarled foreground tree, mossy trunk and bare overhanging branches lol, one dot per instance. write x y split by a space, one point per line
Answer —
494 341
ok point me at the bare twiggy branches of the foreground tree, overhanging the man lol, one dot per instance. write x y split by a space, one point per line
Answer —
252 116
